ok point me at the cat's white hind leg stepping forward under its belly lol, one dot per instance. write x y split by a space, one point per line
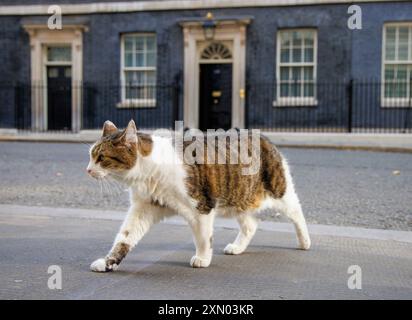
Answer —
247 228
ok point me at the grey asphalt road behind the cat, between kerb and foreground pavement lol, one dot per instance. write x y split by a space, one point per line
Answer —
352 188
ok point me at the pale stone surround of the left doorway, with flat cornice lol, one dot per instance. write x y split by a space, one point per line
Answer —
40 38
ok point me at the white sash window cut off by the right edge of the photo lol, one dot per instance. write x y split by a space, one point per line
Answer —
397 65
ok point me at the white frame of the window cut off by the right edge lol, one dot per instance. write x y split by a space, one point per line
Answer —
396 102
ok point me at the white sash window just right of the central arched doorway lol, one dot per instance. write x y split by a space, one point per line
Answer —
296 68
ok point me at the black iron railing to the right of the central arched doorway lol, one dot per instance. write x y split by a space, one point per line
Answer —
352 106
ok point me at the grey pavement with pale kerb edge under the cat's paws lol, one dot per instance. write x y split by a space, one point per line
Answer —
31 239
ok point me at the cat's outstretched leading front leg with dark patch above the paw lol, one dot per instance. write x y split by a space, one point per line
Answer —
138 221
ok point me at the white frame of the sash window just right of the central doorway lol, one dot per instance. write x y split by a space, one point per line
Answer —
296 101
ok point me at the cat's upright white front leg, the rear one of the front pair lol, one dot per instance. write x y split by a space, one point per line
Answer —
202 228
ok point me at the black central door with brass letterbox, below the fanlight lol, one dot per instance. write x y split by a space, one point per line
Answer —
215 96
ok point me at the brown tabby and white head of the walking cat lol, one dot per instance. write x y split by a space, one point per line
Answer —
116 152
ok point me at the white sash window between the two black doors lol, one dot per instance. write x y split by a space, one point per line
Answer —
138 72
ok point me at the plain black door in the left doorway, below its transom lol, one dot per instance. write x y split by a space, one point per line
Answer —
59 98
